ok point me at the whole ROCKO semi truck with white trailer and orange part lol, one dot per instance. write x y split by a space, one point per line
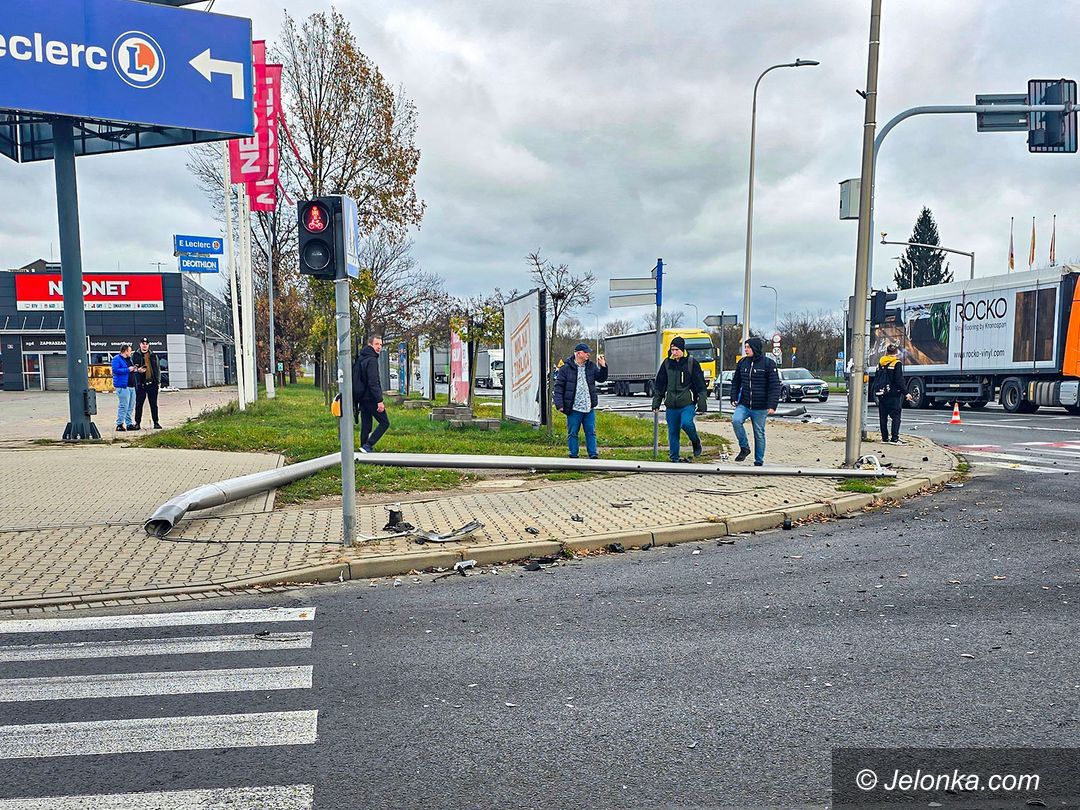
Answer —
1011 339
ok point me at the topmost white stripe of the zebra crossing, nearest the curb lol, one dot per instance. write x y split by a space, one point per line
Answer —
159 620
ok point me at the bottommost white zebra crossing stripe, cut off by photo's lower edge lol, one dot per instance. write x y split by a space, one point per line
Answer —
286 798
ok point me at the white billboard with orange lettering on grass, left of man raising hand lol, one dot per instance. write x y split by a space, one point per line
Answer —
524 368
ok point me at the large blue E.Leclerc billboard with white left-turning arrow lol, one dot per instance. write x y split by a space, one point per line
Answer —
129 62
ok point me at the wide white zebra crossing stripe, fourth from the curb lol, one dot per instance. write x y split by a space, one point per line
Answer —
159 734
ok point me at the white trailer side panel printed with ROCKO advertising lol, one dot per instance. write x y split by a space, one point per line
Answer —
990 325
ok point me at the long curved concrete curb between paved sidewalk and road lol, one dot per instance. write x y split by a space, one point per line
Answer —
391 565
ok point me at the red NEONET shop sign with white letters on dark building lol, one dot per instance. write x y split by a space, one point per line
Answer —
102 291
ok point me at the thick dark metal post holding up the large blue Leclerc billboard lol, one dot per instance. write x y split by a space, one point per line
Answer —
80 426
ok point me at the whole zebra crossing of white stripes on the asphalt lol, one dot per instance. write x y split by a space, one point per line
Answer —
83 714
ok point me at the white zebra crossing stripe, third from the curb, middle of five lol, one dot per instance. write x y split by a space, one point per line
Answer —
141 684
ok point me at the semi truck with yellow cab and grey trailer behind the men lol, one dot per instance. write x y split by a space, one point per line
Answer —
632 359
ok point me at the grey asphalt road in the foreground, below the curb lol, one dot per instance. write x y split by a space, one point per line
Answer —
705 676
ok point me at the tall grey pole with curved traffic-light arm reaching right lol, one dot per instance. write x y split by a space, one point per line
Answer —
865 256
